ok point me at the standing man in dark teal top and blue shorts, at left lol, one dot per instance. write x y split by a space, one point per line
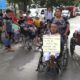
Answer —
8 30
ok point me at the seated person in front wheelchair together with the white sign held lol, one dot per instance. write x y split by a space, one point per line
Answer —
52 48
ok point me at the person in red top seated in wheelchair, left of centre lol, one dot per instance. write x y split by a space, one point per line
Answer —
27 28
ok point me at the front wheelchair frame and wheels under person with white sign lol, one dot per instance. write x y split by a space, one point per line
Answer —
59 64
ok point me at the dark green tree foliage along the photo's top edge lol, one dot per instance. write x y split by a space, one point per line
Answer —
47 3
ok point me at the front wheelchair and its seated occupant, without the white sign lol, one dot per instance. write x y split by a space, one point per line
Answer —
54 61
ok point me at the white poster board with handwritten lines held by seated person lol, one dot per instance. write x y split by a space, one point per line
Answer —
51 43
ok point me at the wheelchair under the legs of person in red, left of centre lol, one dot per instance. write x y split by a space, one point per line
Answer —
27 36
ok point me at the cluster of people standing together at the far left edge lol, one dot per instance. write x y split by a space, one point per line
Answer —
6 29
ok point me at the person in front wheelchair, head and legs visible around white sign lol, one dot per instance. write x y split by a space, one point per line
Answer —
47 56
